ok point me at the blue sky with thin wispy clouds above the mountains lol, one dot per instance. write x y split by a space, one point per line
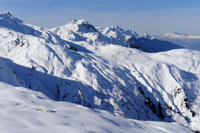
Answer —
154 17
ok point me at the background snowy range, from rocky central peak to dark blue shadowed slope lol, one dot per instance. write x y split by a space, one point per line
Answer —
81 30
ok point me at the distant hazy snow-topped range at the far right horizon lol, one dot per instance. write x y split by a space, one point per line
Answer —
188 41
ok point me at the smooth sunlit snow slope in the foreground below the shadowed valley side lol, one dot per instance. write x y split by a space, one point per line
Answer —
23 110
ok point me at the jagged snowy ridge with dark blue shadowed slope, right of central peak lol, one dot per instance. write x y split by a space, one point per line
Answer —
134 39
